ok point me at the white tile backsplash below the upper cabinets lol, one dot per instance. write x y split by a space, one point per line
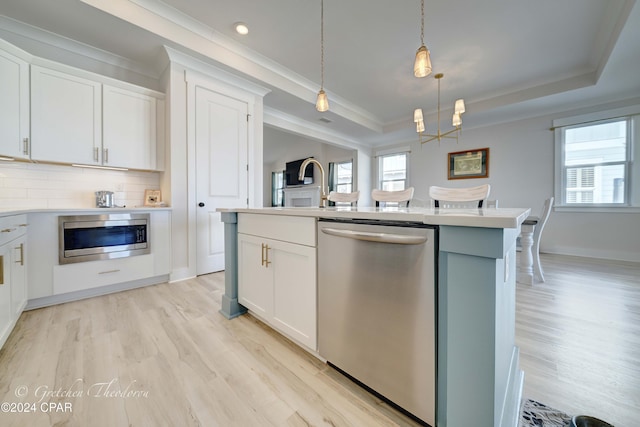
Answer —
40 186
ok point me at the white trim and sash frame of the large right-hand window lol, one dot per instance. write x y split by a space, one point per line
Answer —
632 161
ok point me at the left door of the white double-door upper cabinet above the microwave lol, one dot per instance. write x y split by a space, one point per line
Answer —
66 117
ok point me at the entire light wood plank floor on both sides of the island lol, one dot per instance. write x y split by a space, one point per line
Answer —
180 363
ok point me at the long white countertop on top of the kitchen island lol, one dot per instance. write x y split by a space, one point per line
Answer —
485 217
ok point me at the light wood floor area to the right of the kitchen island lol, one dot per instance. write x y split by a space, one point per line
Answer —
579 338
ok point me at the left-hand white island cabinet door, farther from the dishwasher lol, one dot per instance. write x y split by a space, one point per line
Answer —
255 277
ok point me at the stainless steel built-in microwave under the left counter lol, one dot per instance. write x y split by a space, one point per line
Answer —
94 237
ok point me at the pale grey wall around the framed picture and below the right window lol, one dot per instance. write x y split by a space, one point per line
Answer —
521 174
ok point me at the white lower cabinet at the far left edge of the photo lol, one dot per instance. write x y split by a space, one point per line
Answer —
13 279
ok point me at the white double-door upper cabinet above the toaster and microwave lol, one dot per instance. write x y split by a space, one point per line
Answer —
76 119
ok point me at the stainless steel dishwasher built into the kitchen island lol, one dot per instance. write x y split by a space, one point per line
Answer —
376 308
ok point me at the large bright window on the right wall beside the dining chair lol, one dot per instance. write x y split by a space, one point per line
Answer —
595 162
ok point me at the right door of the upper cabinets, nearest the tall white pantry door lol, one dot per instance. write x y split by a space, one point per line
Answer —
129 129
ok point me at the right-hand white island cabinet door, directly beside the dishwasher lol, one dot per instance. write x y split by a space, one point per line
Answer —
294 296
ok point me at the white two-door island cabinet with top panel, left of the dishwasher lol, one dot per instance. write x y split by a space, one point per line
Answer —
276 277
